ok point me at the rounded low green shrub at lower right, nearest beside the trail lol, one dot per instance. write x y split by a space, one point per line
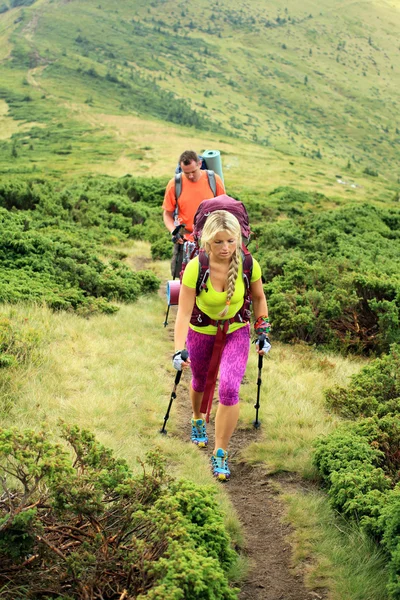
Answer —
360 464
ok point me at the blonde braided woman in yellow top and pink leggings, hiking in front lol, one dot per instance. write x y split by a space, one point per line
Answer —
221 301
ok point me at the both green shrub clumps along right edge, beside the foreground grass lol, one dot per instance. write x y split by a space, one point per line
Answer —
360 460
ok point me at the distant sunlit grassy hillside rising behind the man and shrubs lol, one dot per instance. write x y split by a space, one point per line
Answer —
304 95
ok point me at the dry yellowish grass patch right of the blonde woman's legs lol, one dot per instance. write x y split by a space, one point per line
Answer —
291 405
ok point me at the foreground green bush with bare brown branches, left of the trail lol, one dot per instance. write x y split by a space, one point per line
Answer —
76 523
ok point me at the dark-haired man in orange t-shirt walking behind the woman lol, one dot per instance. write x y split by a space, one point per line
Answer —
181 208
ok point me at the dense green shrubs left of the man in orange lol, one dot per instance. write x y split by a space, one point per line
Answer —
56 244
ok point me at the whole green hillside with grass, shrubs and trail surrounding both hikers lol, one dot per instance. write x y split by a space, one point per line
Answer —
97 100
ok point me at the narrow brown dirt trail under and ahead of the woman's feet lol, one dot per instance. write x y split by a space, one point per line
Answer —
254 495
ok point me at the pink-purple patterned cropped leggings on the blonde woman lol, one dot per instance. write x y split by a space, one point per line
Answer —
232 366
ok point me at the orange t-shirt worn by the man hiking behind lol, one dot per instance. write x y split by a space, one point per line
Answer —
193 193
